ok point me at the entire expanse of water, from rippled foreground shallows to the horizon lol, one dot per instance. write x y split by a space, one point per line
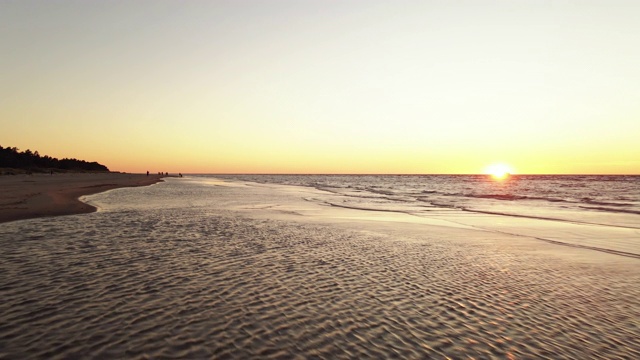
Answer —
312 267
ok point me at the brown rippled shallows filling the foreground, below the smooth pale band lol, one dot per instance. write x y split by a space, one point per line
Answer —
223 283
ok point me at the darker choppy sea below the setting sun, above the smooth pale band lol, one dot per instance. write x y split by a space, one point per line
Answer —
606 200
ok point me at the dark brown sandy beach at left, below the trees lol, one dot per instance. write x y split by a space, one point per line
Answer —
32 196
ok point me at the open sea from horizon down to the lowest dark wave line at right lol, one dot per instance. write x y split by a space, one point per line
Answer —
598 212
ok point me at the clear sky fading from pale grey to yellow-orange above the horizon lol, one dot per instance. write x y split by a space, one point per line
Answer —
411 87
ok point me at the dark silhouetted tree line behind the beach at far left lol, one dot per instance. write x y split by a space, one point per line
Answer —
11 157
